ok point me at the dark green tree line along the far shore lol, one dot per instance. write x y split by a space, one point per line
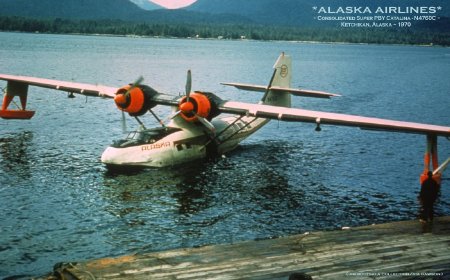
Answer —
420 36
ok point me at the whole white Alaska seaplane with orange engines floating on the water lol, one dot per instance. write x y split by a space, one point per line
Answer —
203 124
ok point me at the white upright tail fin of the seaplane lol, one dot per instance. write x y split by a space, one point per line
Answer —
281 78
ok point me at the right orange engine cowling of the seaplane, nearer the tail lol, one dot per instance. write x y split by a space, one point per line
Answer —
198 105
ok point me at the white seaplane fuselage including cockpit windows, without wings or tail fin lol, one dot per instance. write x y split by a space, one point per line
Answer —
179 142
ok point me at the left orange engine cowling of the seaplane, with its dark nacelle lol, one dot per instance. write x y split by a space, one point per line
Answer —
135 100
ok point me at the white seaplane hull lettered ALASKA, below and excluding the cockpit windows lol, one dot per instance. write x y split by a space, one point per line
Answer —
190 144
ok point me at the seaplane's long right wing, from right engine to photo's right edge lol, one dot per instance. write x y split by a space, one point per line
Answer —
318 117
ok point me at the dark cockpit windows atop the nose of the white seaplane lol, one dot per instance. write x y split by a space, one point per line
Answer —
144 136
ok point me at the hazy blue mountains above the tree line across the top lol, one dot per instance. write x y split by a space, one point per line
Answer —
257 12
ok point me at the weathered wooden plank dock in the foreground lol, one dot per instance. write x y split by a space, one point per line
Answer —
398 250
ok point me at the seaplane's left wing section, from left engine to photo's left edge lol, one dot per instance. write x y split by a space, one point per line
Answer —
85 89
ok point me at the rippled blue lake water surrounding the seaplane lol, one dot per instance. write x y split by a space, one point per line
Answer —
58 203
